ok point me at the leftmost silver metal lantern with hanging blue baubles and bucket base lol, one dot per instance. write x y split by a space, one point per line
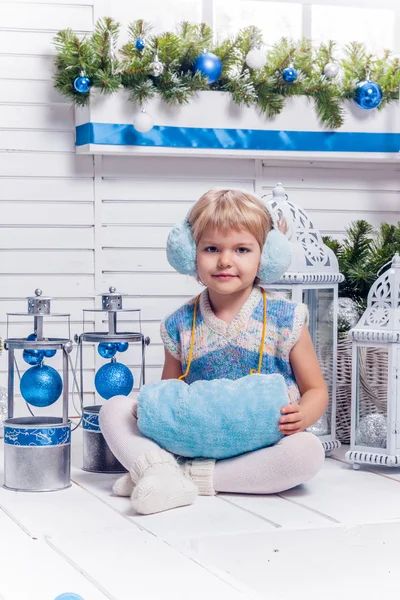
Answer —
37 449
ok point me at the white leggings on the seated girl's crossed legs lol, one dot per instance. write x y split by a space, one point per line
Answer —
292 461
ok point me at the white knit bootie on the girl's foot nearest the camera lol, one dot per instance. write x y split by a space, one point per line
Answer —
159 484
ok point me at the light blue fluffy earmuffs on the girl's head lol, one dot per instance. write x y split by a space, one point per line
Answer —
275 255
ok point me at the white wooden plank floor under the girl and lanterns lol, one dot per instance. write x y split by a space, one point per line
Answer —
333 537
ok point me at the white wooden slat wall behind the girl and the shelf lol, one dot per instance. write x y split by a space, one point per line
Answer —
73 226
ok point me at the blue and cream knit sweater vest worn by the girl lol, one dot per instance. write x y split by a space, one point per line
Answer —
231 350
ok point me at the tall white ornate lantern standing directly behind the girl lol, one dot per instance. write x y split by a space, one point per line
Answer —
313 278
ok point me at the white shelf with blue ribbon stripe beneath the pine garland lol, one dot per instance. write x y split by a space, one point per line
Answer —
213 126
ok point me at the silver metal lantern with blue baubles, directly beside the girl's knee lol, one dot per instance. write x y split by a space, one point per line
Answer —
97 456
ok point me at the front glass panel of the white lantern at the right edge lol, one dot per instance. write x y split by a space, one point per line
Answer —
371 396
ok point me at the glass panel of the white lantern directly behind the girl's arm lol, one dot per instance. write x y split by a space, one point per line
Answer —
321 326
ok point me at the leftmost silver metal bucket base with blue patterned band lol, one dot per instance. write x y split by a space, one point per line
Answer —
37 454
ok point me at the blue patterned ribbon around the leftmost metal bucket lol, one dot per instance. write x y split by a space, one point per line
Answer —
41 436
